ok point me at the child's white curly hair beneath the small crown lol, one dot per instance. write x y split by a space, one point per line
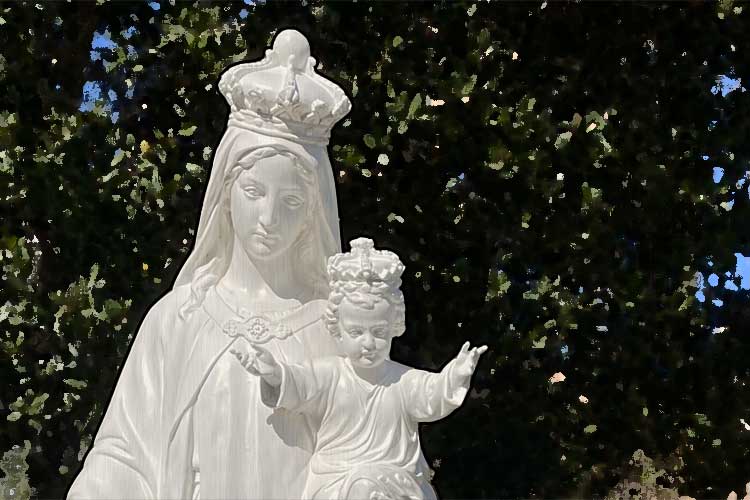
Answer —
366 294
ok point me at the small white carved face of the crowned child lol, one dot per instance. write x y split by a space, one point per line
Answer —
365 333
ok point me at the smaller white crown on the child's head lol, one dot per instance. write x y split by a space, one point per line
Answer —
364 263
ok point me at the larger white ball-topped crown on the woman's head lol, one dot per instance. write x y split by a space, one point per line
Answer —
282 95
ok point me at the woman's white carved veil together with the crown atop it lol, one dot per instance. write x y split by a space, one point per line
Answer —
282 103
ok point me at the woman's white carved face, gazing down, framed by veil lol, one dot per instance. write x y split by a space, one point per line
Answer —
269 207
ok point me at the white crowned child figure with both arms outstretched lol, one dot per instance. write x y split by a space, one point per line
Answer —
368 407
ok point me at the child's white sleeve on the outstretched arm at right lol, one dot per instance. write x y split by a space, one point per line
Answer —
432 396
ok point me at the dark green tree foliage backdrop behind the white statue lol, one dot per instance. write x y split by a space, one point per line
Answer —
549 172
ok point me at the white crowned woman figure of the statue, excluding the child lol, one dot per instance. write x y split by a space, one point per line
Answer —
185 419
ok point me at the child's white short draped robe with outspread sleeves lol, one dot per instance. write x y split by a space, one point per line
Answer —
368 430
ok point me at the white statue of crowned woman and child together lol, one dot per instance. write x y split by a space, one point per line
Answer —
186 420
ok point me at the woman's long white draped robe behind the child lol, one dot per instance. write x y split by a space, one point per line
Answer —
186 421
